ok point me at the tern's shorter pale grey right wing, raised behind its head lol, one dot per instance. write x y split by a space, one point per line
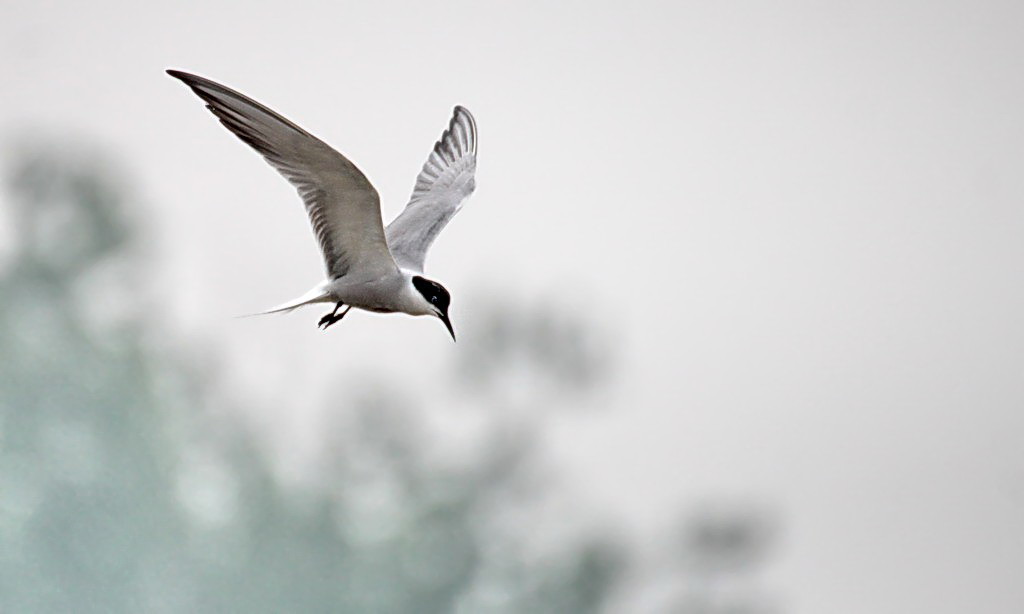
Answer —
446 182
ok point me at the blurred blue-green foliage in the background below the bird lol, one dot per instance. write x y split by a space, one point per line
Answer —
117 495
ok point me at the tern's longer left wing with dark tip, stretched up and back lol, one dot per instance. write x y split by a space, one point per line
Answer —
344 207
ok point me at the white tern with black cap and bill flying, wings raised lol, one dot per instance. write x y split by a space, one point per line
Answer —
368 267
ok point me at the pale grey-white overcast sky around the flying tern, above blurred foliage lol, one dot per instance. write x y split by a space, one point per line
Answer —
803 221
